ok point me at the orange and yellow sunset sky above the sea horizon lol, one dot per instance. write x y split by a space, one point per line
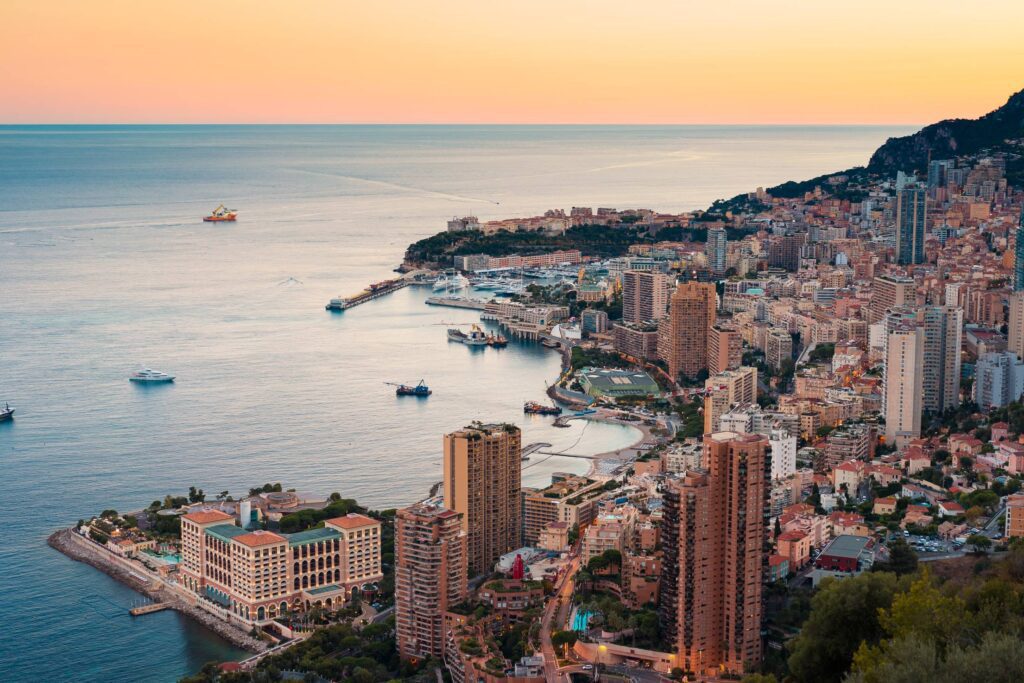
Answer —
648 62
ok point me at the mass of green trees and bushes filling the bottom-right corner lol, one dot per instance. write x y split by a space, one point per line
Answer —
964 623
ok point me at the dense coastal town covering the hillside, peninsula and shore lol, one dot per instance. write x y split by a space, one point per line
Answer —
827 380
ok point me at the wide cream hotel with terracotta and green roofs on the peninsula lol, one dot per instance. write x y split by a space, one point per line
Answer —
258 576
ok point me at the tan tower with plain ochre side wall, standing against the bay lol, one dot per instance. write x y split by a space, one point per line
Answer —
483 482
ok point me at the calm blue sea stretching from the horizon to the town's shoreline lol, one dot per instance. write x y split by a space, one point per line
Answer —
105 266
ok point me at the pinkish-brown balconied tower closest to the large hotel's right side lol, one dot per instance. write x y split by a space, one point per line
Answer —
430 577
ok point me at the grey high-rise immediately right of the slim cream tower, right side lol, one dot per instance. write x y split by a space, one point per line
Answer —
944 335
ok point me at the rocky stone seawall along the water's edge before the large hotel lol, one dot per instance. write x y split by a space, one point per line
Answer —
74 546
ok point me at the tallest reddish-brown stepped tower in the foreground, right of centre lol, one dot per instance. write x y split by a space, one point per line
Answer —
716 547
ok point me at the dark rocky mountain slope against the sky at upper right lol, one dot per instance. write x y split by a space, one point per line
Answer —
948 140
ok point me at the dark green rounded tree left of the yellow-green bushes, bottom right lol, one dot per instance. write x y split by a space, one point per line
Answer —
844 614
